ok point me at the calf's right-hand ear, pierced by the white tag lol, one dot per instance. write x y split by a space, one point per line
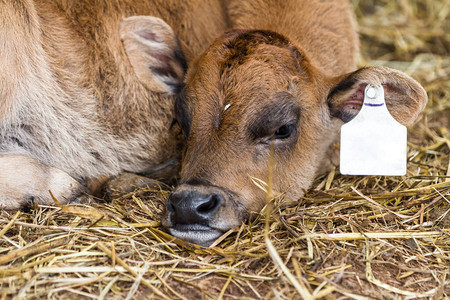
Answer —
405 97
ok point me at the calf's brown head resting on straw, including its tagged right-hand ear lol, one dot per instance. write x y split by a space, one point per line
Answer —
252 91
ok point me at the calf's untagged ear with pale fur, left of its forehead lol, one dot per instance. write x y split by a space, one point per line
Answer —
154 52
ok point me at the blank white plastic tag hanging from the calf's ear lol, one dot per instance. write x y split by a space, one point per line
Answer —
373 143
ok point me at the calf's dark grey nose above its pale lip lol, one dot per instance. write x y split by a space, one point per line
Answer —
193 207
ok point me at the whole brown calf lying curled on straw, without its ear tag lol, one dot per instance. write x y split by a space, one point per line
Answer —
87 93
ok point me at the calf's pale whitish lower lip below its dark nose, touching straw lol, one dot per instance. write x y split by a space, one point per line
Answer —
197 234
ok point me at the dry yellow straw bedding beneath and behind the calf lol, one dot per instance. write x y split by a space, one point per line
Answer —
349 237
